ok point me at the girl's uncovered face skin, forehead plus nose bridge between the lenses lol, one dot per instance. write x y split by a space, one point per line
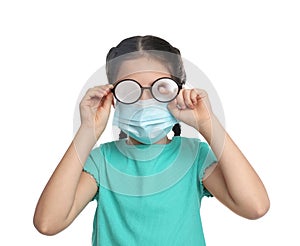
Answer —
145 71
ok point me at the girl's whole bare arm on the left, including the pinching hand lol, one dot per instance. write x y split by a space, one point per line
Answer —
70 189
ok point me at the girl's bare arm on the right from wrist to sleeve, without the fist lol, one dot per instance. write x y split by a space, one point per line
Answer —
233 181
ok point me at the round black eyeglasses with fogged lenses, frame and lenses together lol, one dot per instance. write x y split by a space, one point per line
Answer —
129 91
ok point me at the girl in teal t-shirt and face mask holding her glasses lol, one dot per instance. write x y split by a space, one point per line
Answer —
148 187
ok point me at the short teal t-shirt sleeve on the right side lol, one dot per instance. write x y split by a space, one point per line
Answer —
206 159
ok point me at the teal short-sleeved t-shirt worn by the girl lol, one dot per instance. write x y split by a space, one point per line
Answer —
149 194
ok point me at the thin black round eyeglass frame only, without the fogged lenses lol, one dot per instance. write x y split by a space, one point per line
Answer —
148 87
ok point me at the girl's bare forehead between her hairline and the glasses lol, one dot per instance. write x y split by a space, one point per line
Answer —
143 65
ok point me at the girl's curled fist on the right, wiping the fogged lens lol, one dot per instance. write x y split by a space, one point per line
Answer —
192 107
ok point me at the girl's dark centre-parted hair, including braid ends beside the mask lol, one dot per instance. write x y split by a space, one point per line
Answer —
156 48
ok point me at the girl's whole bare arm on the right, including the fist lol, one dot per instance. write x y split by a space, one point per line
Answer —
233 181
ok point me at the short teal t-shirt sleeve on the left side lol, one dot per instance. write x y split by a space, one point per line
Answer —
92 165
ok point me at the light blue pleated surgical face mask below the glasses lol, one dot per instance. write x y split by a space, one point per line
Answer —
147 121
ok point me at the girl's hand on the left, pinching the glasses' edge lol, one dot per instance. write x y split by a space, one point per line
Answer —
95 108
